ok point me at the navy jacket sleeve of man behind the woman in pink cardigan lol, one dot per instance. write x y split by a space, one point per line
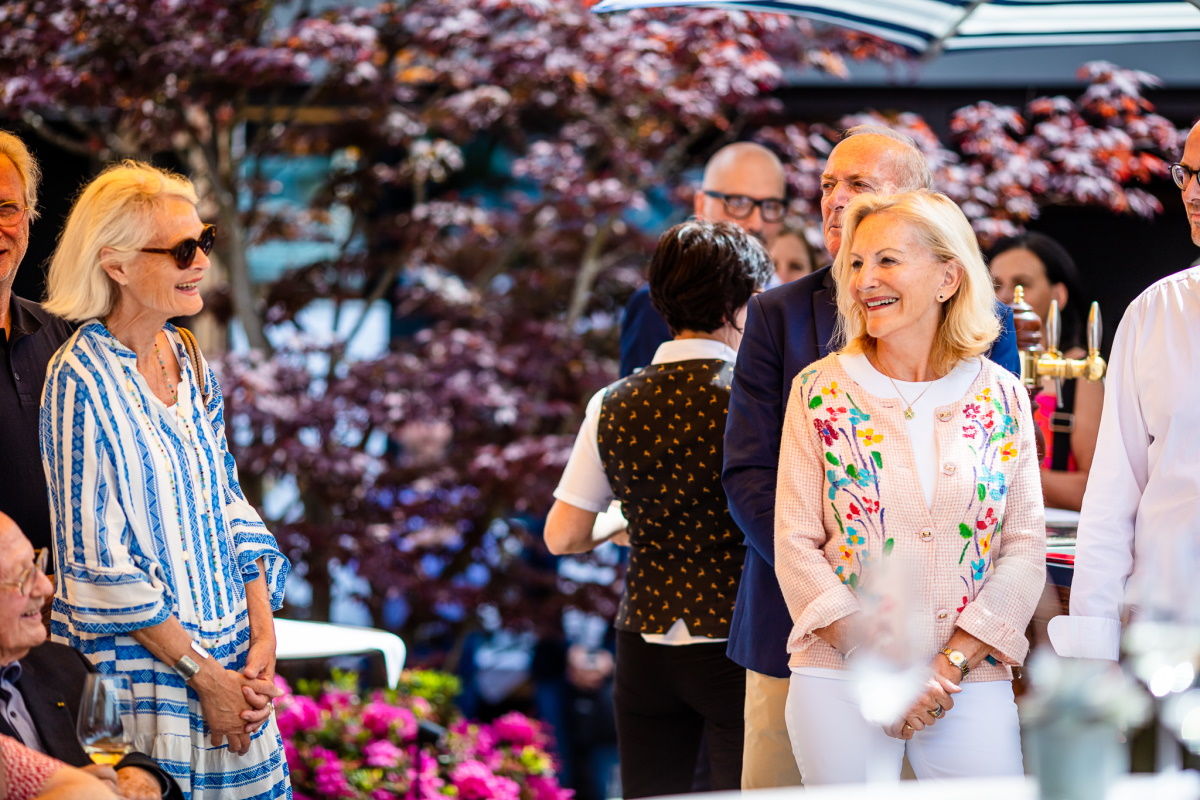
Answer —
753 431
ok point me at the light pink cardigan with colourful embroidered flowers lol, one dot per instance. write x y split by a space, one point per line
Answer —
849 496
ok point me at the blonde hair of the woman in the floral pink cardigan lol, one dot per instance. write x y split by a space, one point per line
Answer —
969 323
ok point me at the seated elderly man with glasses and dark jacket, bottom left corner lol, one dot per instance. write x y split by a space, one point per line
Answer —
41 683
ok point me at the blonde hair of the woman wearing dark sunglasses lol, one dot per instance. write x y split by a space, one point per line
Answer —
115 210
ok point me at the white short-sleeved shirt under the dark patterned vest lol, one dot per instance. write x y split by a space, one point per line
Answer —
585 484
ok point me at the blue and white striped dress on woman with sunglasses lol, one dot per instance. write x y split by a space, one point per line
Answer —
151 522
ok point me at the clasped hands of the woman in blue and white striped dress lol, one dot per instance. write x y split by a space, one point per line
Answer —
236 705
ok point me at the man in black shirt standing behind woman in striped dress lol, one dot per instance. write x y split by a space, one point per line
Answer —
31 339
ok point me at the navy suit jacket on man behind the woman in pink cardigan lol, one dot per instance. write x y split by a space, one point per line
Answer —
788 329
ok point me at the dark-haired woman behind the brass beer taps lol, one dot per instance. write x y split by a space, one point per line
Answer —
1069 424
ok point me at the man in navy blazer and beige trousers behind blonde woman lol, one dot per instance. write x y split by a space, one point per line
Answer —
787 329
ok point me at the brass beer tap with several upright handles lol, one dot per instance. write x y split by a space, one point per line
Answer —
1039 362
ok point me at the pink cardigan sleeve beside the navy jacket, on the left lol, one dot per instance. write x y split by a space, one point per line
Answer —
815 596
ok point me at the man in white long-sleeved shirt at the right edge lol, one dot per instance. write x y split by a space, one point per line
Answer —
1137 543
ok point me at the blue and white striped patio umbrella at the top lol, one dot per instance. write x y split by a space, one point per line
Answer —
931 27
